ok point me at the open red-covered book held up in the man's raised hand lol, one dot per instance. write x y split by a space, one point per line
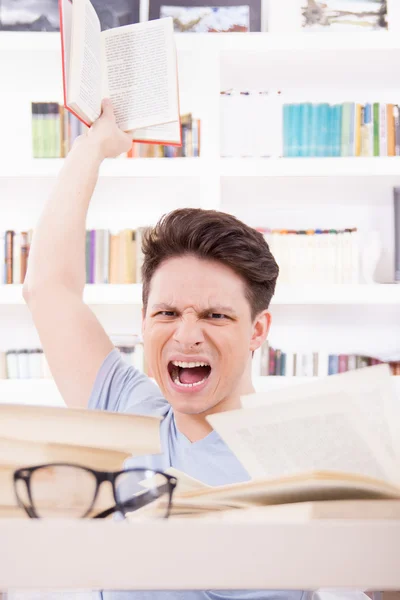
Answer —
133 65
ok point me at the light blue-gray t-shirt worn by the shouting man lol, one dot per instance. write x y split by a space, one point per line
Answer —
121 388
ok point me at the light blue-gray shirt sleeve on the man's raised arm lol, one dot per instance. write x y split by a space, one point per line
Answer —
119 387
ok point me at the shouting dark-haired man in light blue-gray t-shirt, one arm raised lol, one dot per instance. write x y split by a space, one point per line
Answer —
207 283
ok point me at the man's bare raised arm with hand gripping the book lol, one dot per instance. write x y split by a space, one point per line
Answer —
74 342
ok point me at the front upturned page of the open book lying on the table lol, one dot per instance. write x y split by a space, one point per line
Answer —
289 438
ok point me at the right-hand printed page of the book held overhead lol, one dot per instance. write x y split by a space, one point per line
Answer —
140 73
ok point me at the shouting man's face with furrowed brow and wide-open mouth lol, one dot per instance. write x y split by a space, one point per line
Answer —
198 333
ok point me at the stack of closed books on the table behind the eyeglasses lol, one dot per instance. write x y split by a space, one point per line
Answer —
35 435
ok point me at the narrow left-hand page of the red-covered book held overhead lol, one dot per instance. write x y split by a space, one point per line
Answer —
84 83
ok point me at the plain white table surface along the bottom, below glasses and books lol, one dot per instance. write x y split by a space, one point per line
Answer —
199 554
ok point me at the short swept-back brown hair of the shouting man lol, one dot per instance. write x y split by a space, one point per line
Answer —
212 235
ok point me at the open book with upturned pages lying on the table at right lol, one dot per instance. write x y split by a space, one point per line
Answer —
334 439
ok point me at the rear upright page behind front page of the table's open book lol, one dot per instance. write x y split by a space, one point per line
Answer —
370 390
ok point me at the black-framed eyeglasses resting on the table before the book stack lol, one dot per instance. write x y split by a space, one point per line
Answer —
73 491
